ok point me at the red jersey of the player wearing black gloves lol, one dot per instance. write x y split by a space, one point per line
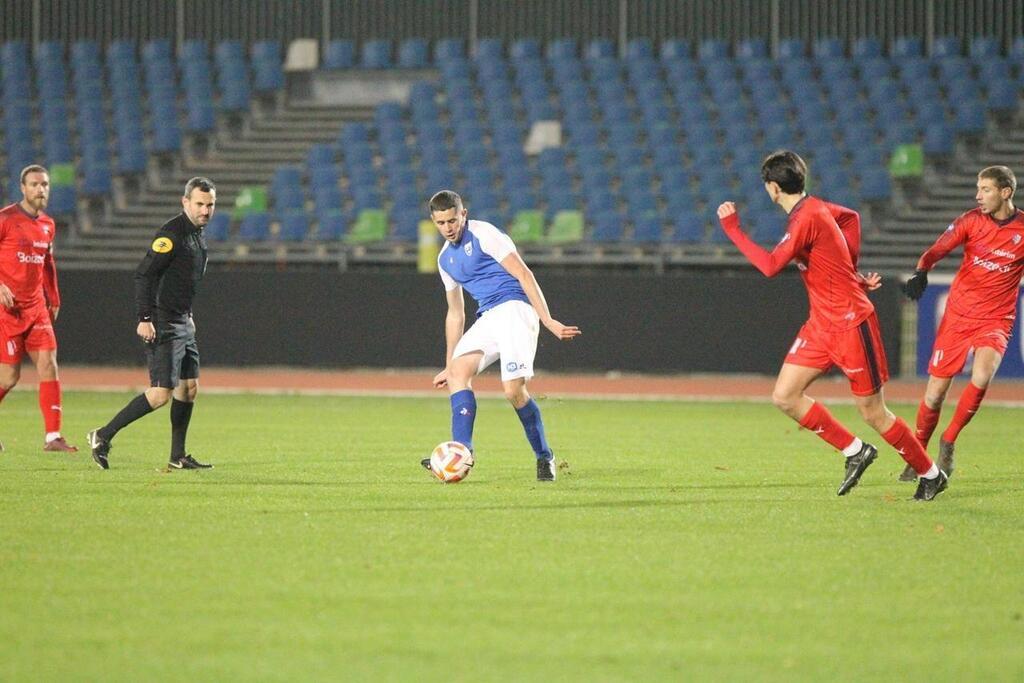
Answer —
986 286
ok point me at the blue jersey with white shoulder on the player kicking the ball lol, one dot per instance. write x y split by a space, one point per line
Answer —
476 265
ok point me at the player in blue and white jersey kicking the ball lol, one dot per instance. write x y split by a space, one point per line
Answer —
483 261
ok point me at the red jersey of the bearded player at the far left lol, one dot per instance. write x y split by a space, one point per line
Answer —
27 258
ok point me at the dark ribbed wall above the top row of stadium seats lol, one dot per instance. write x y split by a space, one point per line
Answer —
250 21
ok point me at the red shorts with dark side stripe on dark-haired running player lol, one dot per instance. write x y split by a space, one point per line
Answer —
859 353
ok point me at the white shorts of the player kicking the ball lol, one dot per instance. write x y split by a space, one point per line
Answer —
508 332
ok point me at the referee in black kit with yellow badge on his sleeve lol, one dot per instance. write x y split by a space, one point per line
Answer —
165 286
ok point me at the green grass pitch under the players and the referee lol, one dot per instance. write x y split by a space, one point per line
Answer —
682 542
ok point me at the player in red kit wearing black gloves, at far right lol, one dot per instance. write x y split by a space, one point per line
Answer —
982 307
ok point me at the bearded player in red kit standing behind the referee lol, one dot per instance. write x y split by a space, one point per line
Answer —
30 300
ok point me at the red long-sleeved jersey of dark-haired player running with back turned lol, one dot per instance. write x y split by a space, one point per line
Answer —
825 241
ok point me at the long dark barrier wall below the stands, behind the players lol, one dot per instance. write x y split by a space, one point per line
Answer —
639 323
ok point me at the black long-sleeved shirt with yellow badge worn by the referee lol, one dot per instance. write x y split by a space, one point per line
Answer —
168 276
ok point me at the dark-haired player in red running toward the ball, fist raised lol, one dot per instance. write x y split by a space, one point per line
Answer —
843 330
